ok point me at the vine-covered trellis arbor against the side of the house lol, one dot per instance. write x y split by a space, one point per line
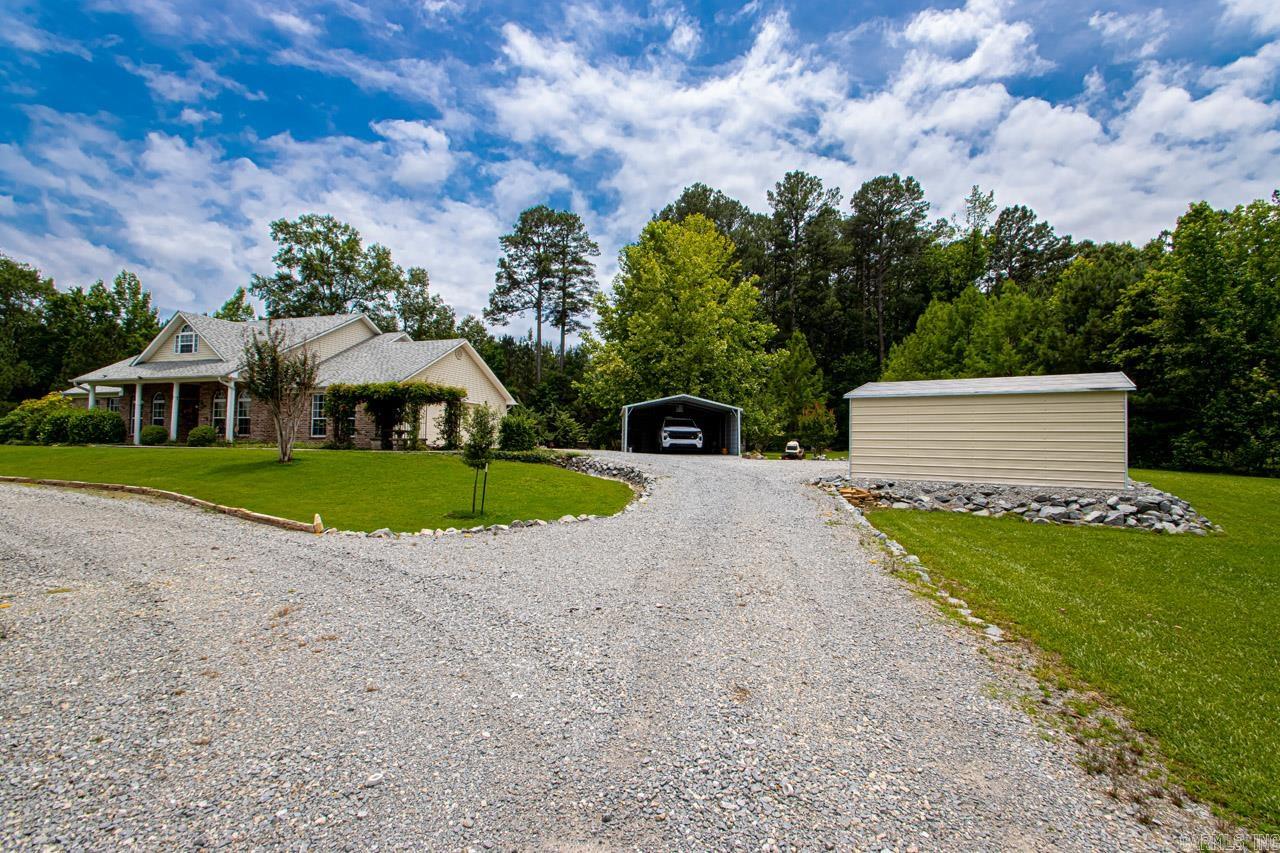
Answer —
391 404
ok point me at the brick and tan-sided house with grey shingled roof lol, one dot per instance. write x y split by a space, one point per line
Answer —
188 376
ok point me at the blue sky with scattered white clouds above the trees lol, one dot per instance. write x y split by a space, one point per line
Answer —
166 135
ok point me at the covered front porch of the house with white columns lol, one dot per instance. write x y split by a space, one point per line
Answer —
181 407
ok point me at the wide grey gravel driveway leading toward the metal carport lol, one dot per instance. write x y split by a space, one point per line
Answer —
721 668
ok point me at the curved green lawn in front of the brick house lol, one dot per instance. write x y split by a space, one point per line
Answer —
351 490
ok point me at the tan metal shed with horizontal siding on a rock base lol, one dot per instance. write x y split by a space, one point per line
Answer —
1071 430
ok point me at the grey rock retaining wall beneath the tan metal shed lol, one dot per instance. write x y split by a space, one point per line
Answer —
1140 507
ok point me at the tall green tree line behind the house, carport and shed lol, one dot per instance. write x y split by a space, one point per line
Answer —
785 311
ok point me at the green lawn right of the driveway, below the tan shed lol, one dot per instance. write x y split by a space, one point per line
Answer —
1183 632
